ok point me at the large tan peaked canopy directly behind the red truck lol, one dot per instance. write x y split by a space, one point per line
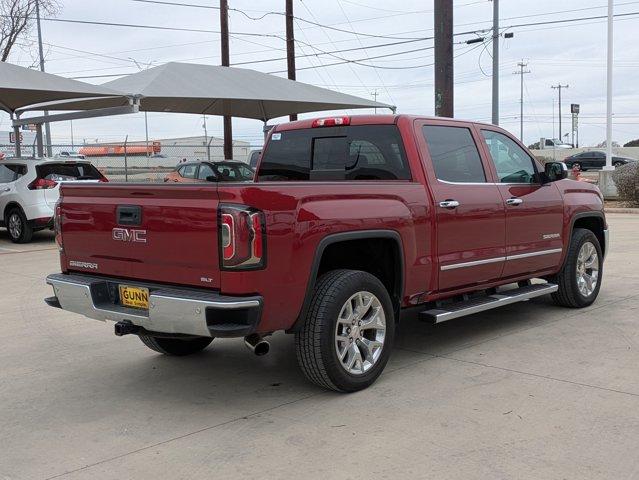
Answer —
212 90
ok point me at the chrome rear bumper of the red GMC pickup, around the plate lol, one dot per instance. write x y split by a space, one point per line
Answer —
182 311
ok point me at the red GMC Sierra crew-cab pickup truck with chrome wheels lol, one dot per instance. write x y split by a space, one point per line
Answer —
351 224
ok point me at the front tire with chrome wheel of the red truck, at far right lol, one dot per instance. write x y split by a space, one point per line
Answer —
580 278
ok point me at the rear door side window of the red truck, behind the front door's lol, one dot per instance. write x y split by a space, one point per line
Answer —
454 154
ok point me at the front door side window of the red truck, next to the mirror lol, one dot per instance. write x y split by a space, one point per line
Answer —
512 163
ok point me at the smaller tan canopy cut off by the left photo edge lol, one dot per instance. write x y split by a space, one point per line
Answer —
21 87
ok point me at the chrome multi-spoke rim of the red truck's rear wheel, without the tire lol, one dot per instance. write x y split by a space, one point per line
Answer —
360 332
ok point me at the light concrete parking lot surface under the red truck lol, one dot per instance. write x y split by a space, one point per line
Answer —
530 390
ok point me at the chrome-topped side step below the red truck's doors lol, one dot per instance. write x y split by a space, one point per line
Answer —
476 305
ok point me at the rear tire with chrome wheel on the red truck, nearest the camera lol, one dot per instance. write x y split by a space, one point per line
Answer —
347 336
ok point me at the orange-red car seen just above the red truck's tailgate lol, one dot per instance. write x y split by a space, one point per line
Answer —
226 171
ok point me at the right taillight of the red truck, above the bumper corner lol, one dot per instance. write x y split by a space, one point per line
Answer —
242 238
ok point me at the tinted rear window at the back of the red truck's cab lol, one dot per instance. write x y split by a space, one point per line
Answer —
363 152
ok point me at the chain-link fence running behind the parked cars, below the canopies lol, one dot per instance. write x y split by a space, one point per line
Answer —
137 162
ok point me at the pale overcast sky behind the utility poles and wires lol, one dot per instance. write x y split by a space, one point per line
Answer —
570 53
